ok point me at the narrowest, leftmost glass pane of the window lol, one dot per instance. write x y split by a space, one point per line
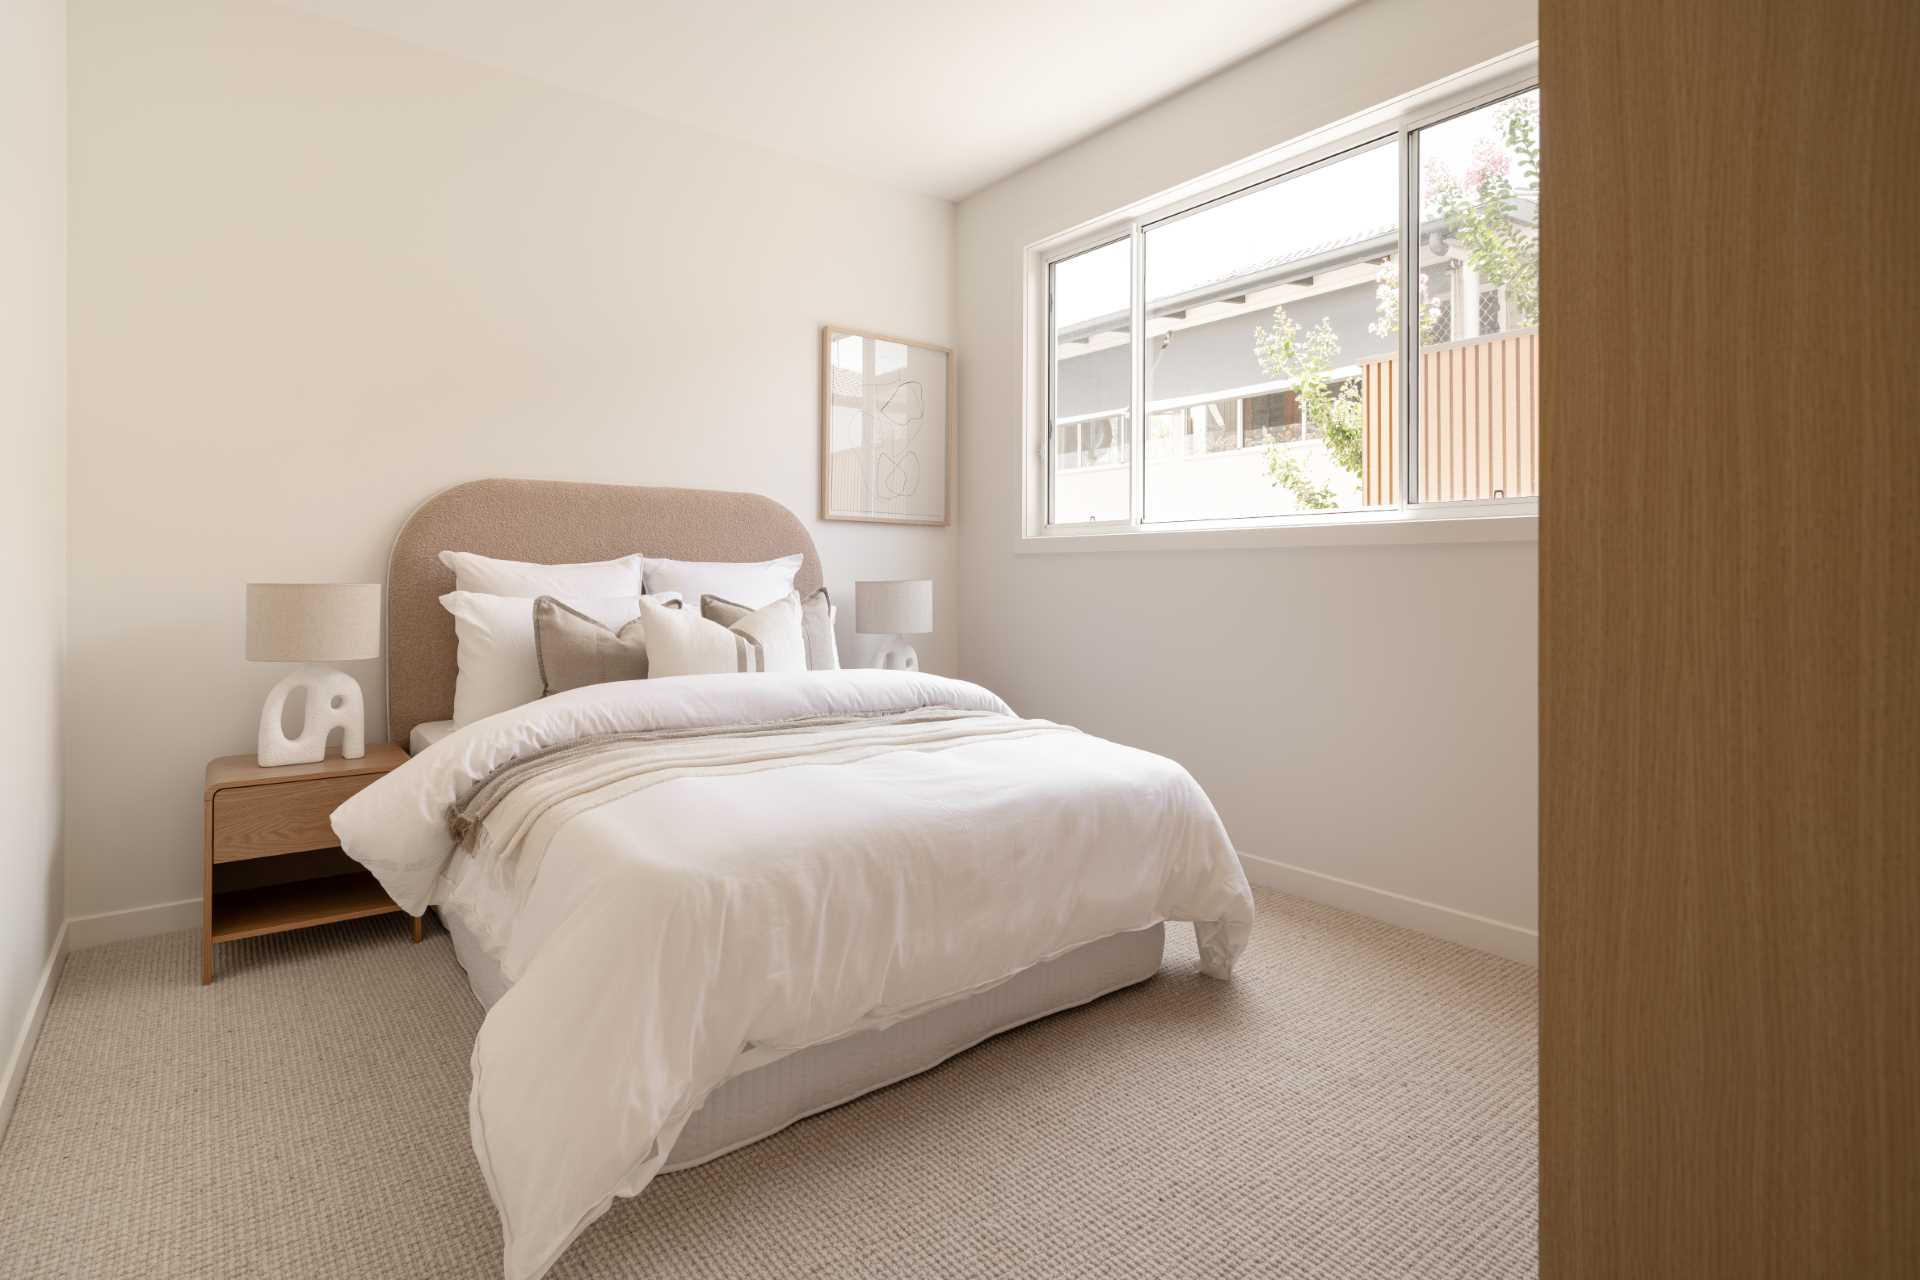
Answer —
1092 385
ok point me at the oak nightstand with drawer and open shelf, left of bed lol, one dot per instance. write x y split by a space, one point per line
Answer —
272 859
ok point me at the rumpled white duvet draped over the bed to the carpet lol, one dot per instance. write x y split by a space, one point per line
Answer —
677 934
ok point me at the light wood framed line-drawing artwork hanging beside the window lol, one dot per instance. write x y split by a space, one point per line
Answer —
886 429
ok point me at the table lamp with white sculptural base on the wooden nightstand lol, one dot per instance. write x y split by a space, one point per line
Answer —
314 623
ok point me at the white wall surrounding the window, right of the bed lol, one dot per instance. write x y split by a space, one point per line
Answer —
1362 713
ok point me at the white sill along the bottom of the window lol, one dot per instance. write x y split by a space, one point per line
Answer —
1395 529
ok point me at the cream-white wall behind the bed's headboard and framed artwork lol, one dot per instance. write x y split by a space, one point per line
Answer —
320 275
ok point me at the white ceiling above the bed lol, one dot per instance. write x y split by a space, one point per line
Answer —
924 95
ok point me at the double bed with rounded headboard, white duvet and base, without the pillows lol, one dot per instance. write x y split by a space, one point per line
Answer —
796 889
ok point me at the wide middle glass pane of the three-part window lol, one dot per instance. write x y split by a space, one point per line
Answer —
1270 346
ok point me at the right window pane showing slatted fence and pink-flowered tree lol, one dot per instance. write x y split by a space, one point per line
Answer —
1477 431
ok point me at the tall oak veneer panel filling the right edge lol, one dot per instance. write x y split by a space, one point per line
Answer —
1731 628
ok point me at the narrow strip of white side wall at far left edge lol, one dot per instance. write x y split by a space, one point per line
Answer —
34 492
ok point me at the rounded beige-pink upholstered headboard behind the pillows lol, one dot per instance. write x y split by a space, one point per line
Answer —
552 523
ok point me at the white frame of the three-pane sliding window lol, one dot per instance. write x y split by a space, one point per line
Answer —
1512 519
